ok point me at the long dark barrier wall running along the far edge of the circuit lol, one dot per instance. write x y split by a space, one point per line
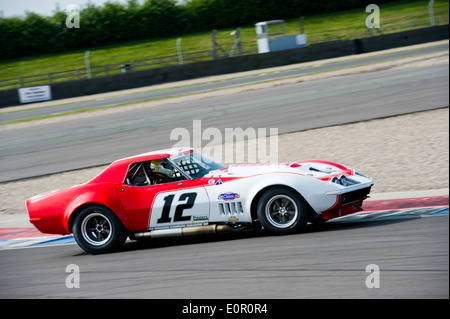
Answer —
313 52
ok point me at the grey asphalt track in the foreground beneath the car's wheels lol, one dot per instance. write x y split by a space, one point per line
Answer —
327 261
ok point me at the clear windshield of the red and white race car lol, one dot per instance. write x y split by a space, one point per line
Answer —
195 164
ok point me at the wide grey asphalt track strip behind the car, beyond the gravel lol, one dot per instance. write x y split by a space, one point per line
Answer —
81 143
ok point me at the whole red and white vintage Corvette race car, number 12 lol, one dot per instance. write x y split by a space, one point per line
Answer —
180 192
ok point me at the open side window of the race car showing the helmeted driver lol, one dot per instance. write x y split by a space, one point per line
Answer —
152 173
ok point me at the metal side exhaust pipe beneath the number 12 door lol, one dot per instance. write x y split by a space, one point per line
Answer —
184 231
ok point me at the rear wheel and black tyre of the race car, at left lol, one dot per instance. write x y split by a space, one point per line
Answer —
97 230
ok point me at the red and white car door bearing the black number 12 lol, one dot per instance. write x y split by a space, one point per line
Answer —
174 204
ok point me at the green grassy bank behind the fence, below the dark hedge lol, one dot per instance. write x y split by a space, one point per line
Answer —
394 17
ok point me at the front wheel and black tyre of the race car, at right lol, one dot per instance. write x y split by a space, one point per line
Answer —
282 211
